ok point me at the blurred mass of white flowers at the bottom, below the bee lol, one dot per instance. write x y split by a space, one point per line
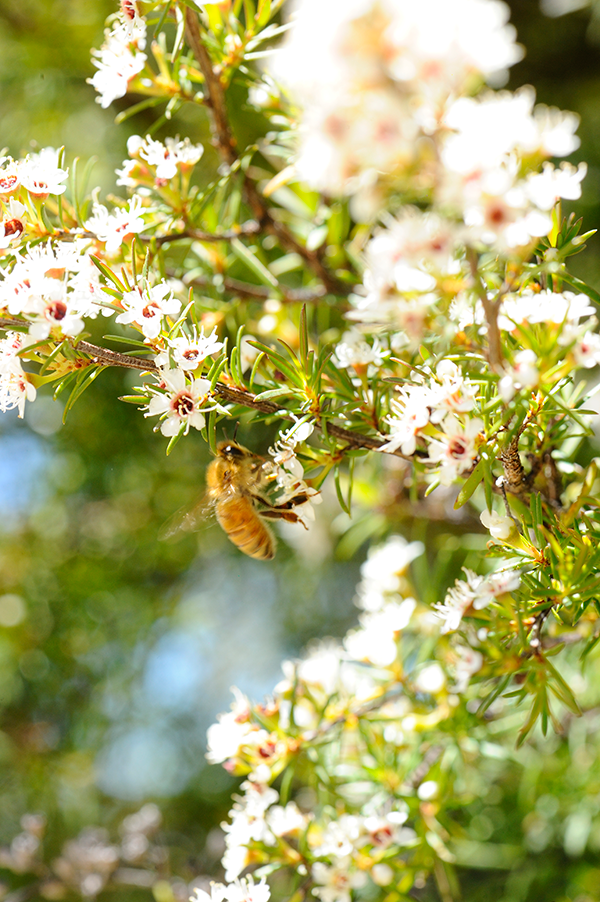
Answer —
342 848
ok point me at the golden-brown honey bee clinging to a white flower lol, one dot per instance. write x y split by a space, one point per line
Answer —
236 481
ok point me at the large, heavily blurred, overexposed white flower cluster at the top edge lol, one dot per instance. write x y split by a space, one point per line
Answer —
378 76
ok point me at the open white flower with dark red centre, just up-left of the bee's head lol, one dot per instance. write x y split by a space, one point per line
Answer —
182 405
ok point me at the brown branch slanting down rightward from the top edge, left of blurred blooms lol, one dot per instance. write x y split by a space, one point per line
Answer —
225 143
